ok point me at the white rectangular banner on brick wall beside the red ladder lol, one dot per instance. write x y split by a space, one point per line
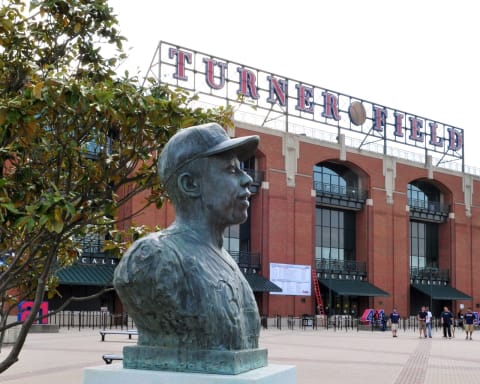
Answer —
293 279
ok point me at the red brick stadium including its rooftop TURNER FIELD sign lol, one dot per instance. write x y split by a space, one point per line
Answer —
372 205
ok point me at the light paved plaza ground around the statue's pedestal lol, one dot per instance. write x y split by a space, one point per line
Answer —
320 356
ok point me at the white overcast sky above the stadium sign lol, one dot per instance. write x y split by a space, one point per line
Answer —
418 56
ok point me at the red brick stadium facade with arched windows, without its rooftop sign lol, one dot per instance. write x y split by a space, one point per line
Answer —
380 232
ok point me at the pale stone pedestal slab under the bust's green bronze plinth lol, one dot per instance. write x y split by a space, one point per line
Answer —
116 374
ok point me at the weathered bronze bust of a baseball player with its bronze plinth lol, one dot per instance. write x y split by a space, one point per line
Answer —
192 306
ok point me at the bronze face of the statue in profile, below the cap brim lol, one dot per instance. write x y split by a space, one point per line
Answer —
225 189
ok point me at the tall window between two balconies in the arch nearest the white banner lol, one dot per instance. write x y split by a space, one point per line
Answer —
334 234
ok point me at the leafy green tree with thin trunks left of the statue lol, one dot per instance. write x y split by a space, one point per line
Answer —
77 142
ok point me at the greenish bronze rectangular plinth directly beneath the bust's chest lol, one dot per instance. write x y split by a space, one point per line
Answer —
226 362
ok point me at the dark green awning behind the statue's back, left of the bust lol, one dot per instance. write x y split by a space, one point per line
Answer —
87 274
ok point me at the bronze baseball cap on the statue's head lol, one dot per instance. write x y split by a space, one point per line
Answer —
189 144
